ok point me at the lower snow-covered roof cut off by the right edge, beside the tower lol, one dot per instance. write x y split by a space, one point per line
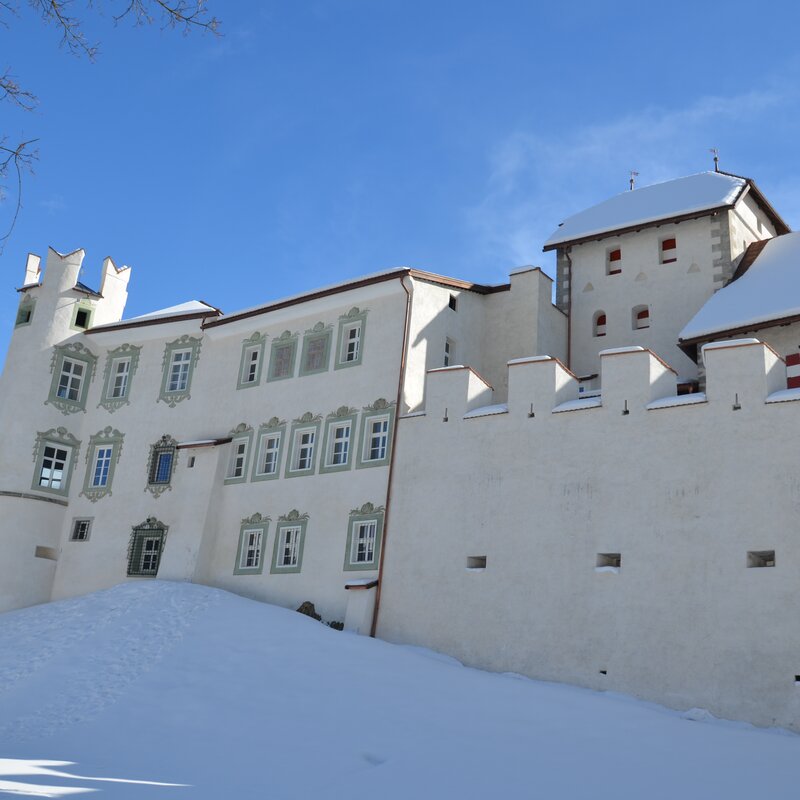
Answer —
769 290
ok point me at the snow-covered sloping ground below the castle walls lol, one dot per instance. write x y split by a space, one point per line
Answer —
164 683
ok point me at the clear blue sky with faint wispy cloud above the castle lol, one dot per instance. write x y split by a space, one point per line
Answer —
315 141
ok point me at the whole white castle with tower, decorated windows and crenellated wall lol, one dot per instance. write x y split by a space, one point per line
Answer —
600 491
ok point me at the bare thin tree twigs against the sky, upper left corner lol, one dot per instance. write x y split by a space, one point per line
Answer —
186 15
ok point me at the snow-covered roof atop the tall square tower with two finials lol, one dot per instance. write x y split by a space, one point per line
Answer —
676 198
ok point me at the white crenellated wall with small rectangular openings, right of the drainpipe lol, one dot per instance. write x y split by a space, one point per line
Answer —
551 487
